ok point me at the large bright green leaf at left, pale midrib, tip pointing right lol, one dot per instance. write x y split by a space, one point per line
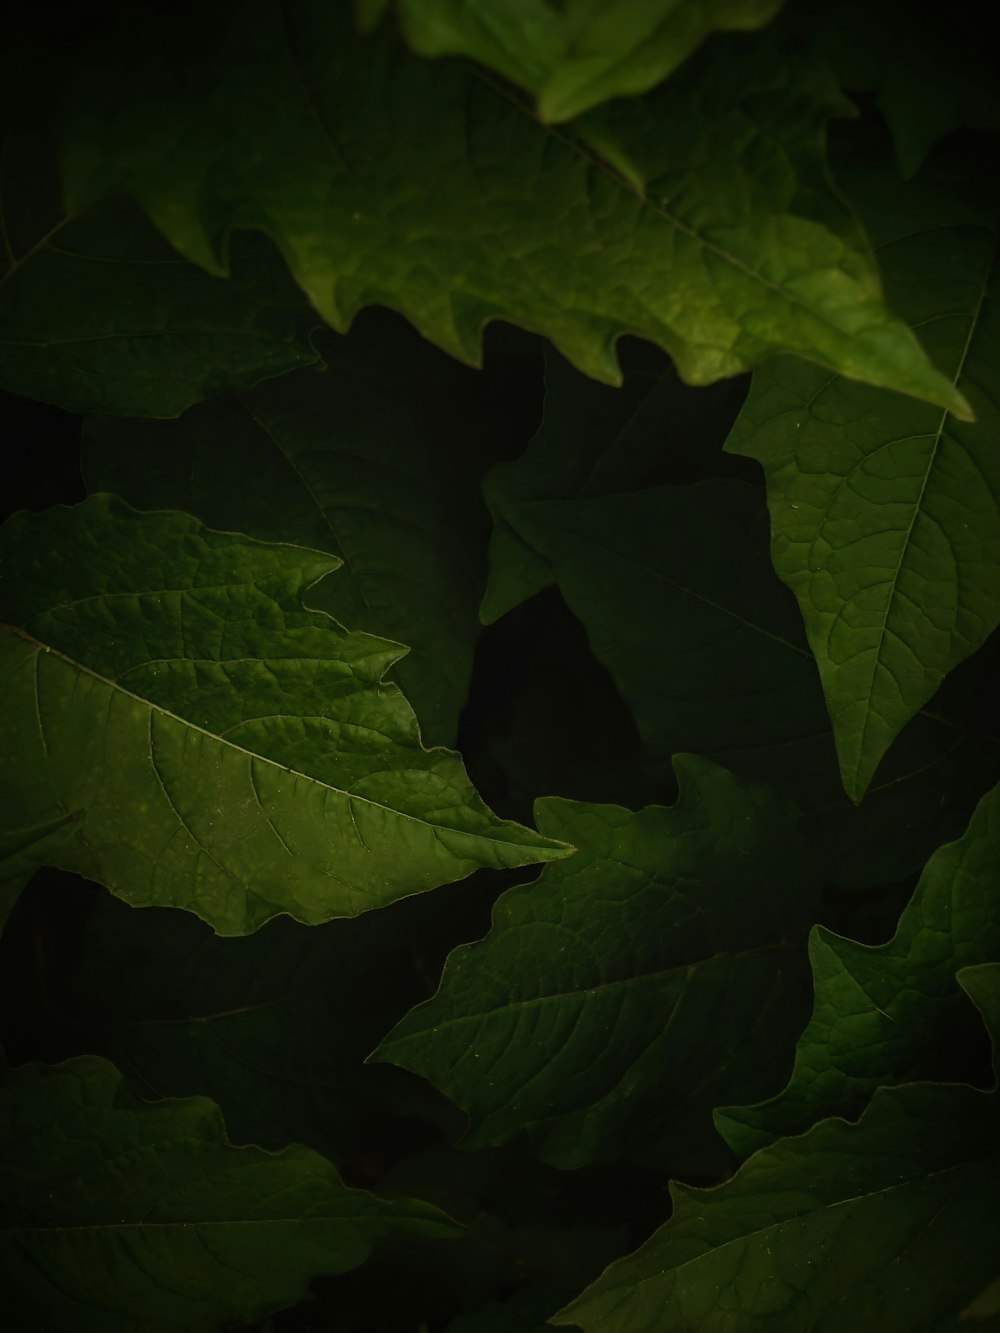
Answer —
210 743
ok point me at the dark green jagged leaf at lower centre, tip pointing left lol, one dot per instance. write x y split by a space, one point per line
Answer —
617 998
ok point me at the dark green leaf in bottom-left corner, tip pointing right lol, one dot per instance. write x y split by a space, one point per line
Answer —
137 1218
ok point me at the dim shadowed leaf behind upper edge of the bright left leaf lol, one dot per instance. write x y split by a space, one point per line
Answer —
378 463
